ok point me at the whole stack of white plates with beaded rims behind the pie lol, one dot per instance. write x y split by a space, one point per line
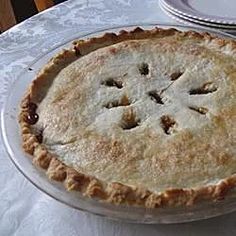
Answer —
217 14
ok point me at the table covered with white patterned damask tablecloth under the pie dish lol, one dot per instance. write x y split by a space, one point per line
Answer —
24 210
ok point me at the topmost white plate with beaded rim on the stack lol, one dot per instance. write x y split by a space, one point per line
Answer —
215 11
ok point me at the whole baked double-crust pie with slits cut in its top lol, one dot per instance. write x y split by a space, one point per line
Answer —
143 118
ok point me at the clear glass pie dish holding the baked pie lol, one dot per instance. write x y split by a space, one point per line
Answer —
12 141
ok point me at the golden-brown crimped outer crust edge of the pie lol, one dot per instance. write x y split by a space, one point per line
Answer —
90 186
